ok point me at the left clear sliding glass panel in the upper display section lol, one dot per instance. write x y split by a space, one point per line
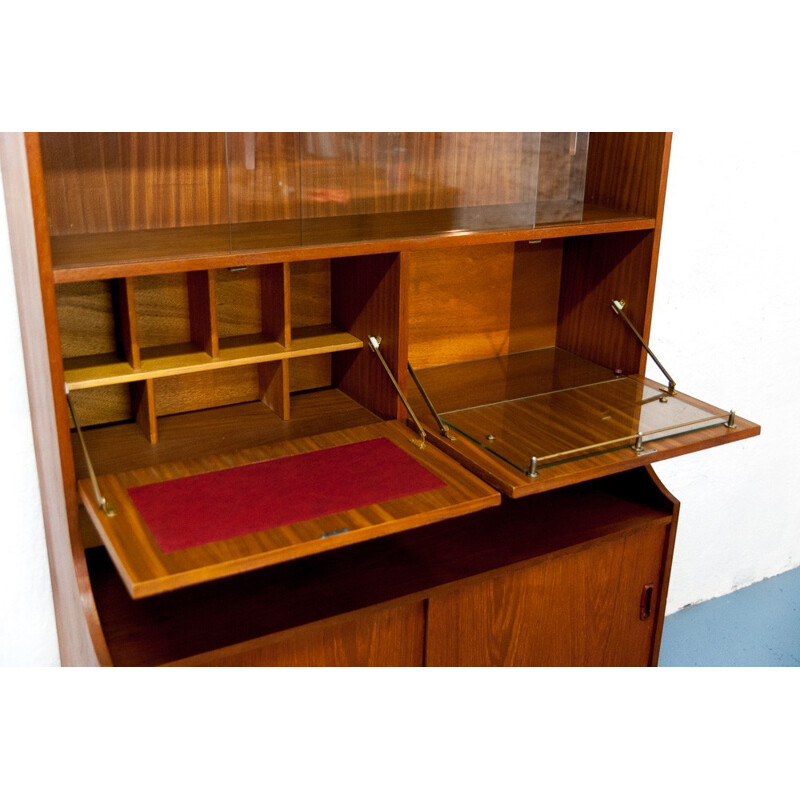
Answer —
324 188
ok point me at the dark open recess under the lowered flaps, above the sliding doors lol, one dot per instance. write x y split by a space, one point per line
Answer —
234 615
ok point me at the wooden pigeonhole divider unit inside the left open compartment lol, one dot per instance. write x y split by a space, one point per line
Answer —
206 338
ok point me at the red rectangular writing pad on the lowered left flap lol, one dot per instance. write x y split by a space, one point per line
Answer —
200 509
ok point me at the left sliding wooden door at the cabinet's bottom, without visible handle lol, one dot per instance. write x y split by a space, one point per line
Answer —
382 637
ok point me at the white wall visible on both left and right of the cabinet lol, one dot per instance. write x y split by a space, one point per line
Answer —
726 316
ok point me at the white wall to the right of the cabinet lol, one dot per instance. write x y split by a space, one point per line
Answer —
726 324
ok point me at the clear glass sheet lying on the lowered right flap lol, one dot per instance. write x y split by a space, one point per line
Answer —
573 423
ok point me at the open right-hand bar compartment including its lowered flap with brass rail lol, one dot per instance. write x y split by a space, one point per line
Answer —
527 374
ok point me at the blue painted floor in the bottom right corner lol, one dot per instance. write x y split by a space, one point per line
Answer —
758 626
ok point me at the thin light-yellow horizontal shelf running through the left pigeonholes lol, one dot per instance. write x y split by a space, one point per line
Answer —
87 372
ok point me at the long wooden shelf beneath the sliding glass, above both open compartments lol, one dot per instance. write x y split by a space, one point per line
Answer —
83 257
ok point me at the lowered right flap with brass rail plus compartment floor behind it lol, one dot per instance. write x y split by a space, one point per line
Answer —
544 418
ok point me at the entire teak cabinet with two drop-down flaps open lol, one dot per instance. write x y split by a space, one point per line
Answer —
350 399
